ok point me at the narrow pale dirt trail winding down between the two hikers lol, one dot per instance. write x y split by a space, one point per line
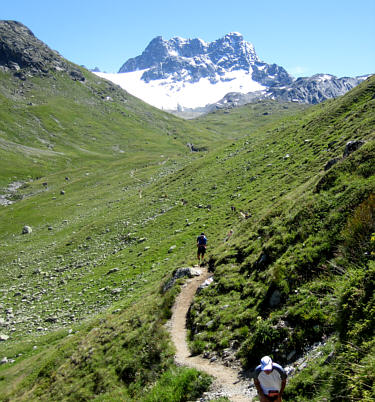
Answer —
227 381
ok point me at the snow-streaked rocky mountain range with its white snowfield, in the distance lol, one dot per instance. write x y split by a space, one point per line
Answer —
191 76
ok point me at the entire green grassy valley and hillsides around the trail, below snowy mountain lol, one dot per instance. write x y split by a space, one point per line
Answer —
102 197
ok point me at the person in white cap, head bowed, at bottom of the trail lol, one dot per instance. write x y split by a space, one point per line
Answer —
269 380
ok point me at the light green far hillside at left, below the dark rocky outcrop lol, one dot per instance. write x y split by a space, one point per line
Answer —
48 123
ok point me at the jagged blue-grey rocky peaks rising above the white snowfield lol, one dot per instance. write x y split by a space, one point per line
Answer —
189 60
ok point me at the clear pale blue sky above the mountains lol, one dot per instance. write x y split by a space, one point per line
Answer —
305 37
